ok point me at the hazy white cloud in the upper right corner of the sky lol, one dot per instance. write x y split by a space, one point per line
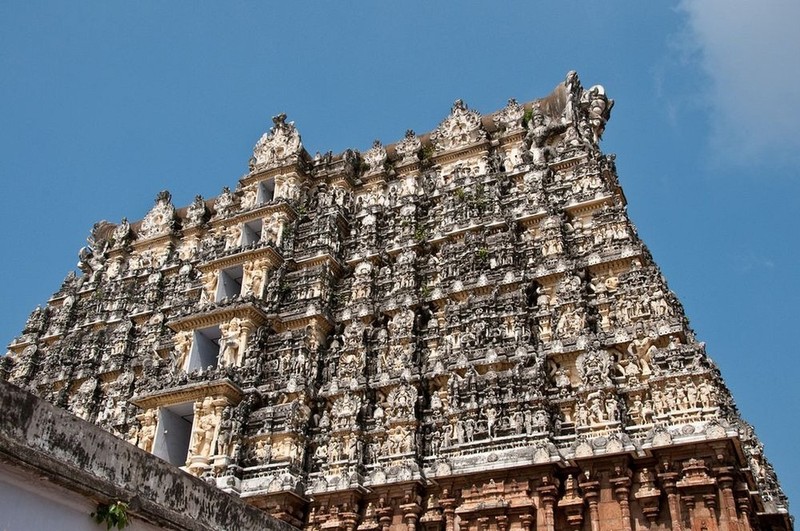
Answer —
751 54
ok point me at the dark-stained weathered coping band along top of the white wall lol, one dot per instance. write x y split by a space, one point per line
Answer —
45 441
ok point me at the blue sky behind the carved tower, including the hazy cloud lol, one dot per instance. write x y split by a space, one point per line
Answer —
103 104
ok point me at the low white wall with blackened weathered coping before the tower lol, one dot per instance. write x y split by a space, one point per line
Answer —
56 468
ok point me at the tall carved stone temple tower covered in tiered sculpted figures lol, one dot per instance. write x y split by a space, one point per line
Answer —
459 331
